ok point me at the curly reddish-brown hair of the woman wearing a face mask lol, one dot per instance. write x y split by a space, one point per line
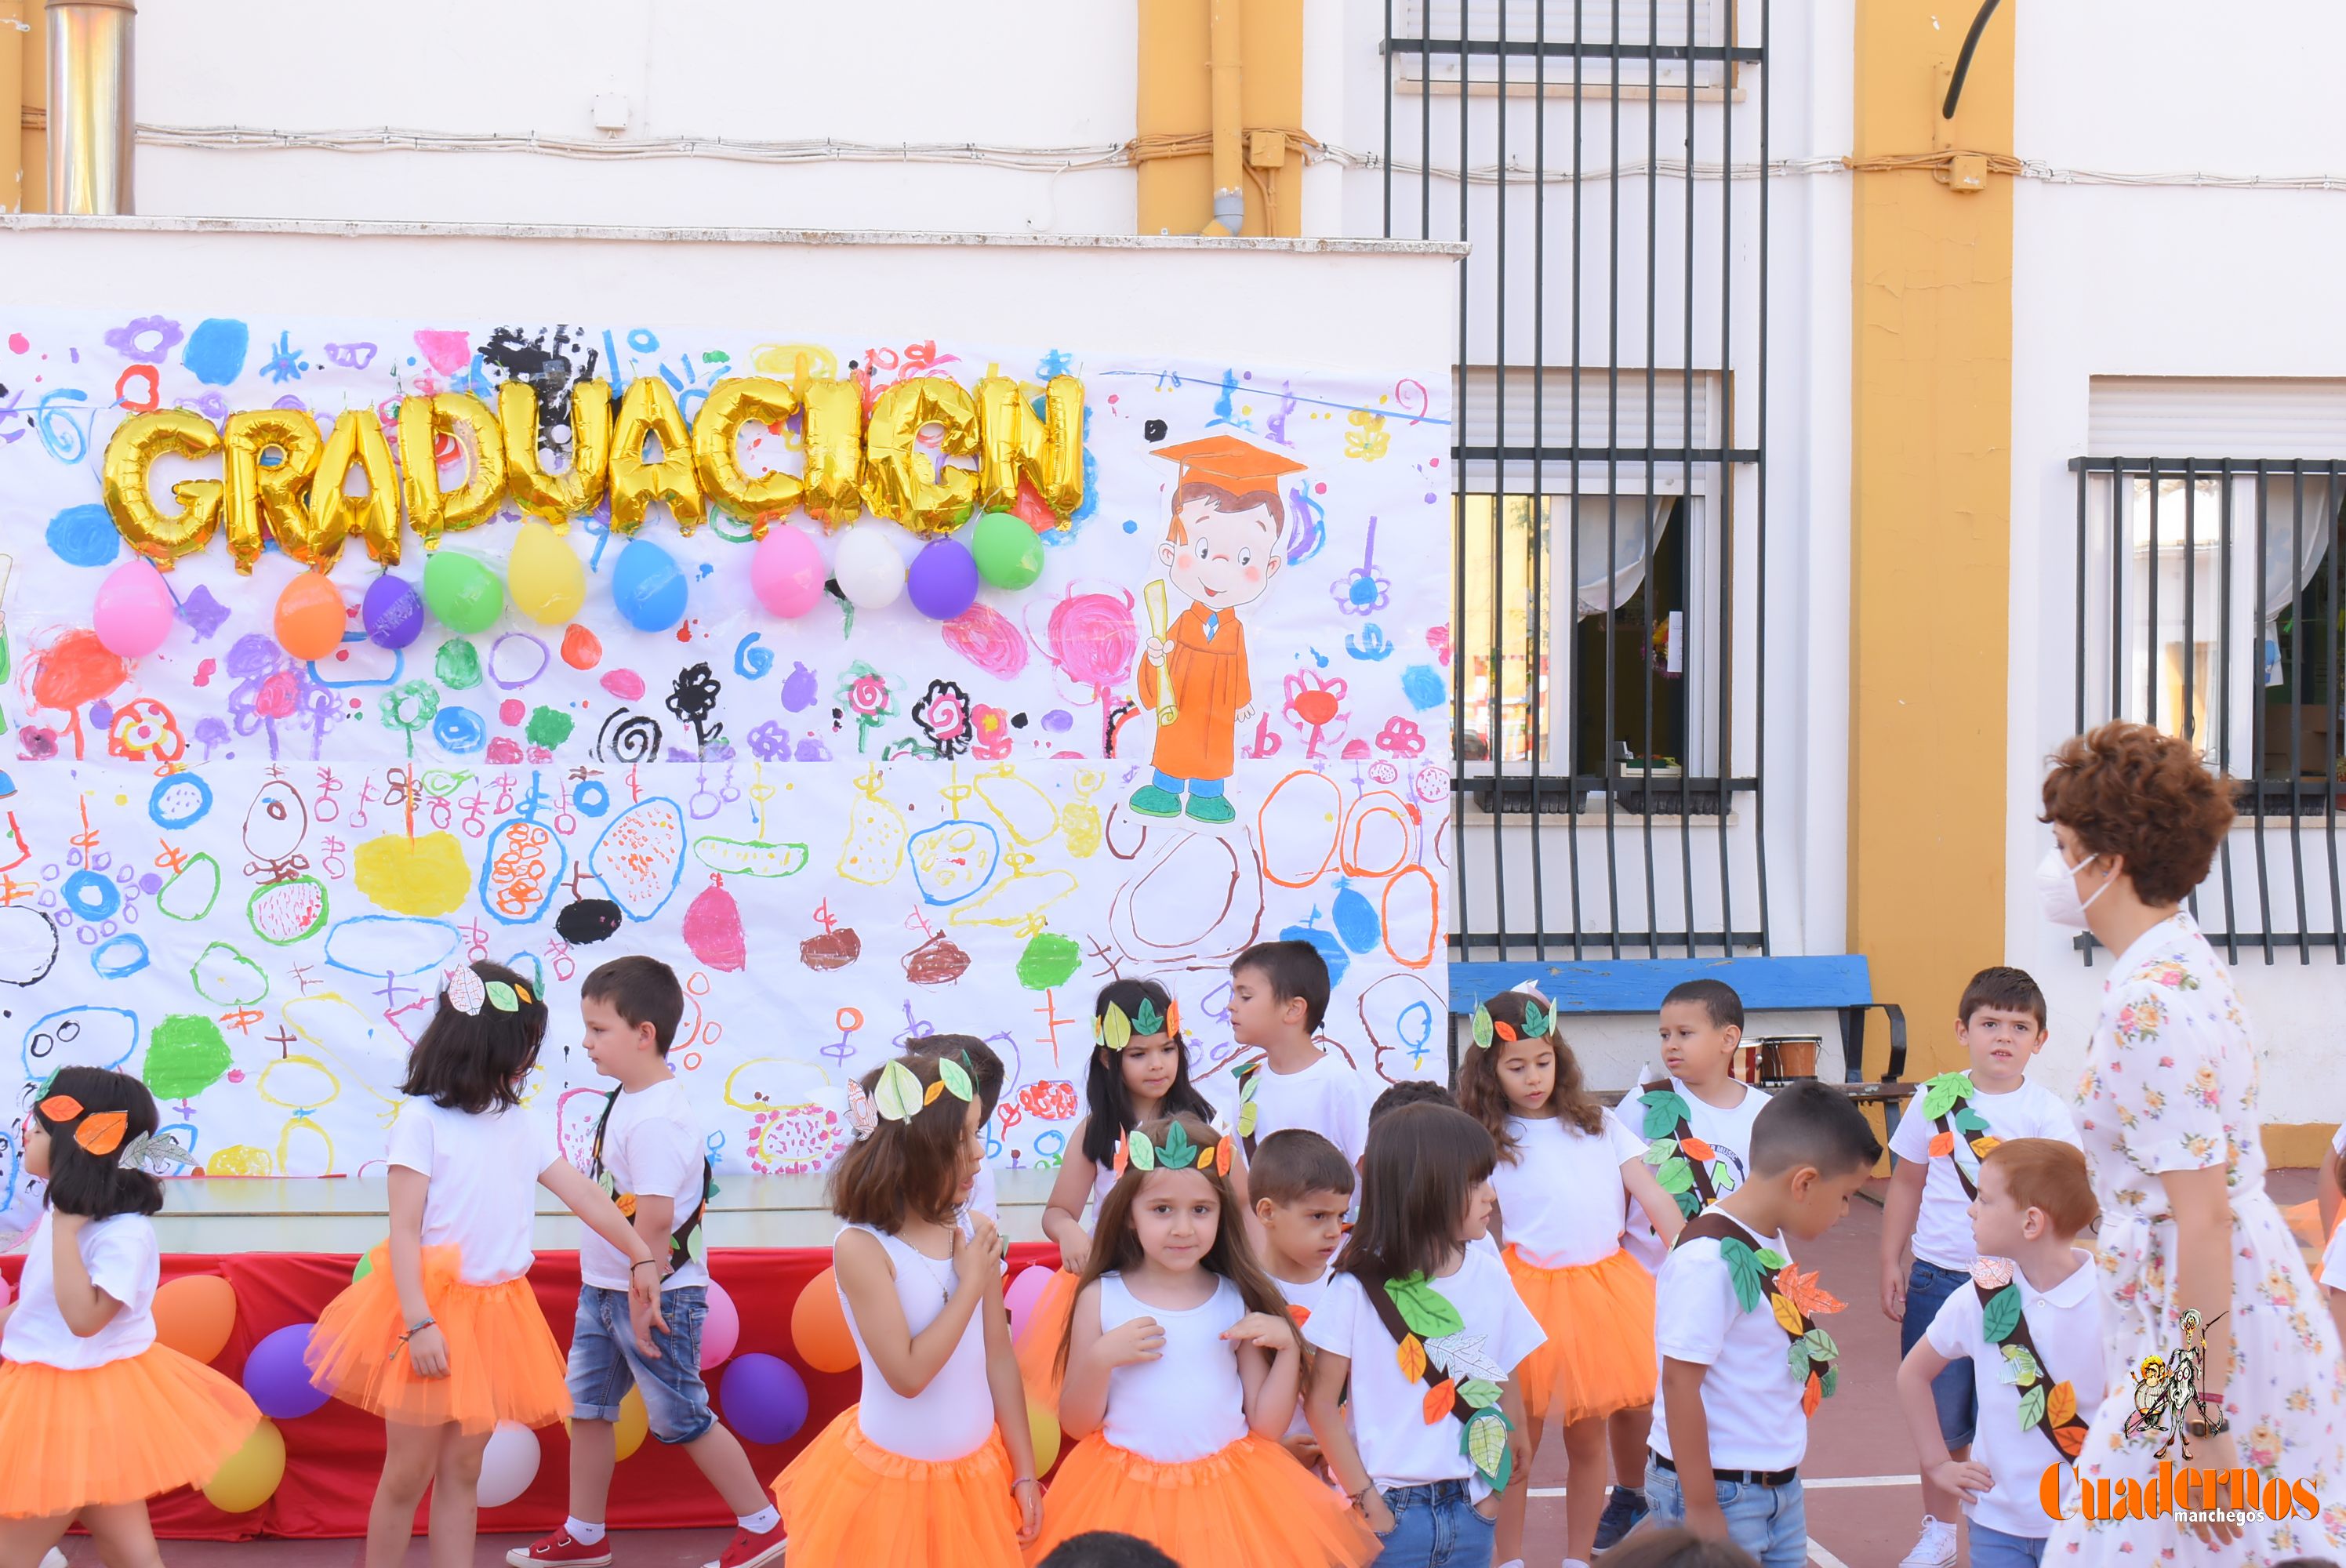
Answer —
2145 797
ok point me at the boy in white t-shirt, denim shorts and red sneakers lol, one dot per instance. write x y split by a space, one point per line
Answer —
653 1161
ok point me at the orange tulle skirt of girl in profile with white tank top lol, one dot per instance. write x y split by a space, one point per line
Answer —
846 1501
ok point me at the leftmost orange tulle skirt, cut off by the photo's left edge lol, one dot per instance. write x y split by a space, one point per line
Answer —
116 1433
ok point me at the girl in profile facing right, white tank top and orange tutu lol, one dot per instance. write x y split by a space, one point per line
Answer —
935 1466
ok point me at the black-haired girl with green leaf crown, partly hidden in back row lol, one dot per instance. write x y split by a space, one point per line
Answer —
1139 1072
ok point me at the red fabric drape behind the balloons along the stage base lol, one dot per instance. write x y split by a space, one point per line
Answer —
337 1454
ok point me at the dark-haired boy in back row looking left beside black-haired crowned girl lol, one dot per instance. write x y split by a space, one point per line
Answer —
1277 1003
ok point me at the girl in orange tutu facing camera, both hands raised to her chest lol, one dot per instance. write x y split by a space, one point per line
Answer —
1181 1377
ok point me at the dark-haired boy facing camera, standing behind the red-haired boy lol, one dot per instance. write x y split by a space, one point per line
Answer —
1948 1128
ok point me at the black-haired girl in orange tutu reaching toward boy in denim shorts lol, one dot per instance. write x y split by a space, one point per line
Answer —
445 1337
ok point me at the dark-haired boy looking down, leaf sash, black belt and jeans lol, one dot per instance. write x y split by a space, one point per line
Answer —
1742 1358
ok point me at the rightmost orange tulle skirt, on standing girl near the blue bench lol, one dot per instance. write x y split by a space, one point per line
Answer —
1601 1337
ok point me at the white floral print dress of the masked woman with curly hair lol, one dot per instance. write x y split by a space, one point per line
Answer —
2171 1086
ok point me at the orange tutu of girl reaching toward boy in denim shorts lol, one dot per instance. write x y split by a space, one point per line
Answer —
503 1363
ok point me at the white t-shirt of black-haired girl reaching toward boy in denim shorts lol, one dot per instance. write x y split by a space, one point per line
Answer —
484 1182
